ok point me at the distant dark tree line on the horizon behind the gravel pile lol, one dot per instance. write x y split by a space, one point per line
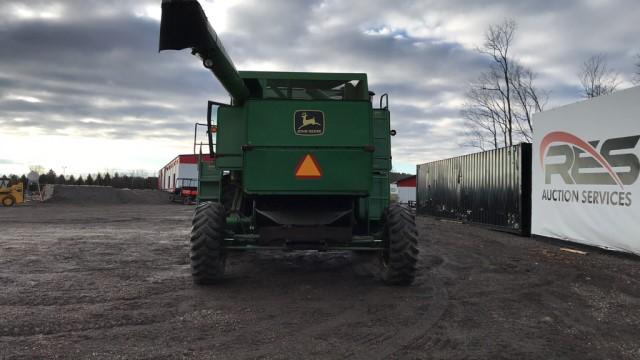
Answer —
100 179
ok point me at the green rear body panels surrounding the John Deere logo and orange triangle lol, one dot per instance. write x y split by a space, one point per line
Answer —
340 151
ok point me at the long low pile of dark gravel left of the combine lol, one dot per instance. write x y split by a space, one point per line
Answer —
89 195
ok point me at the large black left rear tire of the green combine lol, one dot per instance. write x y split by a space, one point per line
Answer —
207 243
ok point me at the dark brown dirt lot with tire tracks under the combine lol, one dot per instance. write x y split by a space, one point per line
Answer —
113 282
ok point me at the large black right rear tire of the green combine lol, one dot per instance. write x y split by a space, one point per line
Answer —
400 258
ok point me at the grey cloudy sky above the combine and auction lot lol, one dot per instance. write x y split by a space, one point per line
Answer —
84 89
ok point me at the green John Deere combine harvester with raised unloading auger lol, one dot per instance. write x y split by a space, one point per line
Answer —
302 162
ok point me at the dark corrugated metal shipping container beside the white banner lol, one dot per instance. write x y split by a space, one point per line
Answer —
491 187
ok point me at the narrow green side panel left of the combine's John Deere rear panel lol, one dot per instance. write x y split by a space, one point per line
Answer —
232 134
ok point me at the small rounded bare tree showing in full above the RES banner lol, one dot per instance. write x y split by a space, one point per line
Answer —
597 78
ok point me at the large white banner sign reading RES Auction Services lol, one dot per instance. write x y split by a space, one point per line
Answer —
585 167
